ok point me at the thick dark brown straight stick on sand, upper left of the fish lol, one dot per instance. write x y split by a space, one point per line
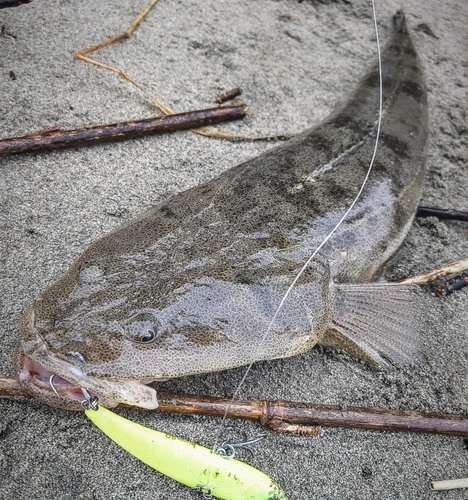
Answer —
119 131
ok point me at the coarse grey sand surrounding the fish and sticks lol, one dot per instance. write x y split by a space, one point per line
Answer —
295 61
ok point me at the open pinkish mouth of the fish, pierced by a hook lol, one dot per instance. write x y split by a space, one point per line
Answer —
54 388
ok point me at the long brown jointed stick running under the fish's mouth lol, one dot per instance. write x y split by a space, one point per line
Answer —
298 418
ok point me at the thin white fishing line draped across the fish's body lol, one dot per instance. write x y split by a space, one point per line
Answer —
330 234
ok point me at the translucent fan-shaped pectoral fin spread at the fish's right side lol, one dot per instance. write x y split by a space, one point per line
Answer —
375 322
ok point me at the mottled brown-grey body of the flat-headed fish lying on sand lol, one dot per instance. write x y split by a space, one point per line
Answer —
191 285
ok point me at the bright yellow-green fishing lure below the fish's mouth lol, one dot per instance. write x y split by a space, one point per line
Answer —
185 462
